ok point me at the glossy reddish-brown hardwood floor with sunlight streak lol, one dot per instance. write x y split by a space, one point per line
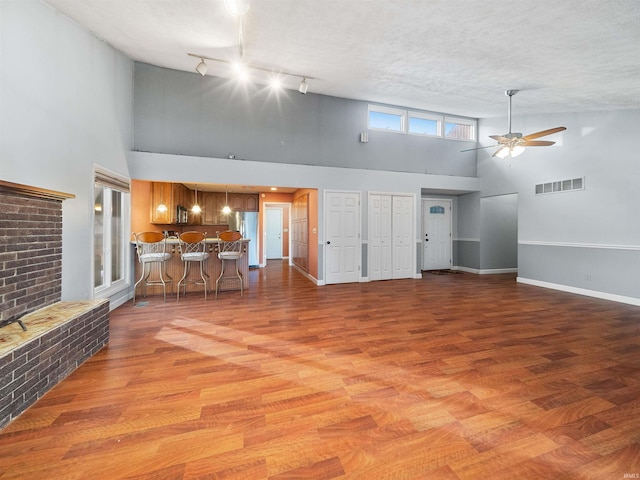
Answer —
448 377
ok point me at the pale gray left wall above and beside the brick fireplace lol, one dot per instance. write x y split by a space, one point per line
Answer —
65 103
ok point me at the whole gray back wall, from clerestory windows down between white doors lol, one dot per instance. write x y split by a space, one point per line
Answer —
186 126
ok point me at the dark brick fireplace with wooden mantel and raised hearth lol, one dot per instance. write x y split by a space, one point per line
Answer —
59 335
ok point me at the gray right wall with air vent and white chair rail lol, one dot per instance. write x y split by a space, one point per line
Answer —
588 240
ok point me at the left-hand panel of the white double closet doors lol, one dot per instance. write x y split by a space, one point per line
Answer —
380 254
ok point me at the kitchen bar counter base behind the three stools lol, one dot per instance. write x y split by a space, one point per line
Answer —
213 266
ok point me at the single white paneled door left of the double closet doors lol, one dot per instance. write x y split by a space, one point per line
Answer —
342 237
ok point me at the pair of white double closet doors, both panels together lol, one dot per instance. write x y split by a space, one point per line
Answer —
391 250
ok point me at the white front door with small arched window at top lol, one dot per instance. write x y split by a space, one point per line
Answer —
436 234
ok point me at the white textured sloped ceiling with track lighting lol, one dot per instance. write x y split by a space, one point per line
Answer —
450 56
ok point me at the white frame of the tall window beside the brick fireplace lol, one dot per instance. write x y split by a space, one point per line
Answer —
111 182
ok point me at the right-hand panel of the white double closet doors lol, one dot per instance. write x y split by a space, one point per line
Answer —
403 242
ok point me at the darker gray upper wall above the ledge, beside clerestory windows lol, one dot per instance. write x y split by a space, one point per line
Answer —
185 114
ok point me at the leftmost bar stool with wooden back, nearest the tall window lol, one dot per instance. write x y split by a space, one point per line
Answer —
151 248
